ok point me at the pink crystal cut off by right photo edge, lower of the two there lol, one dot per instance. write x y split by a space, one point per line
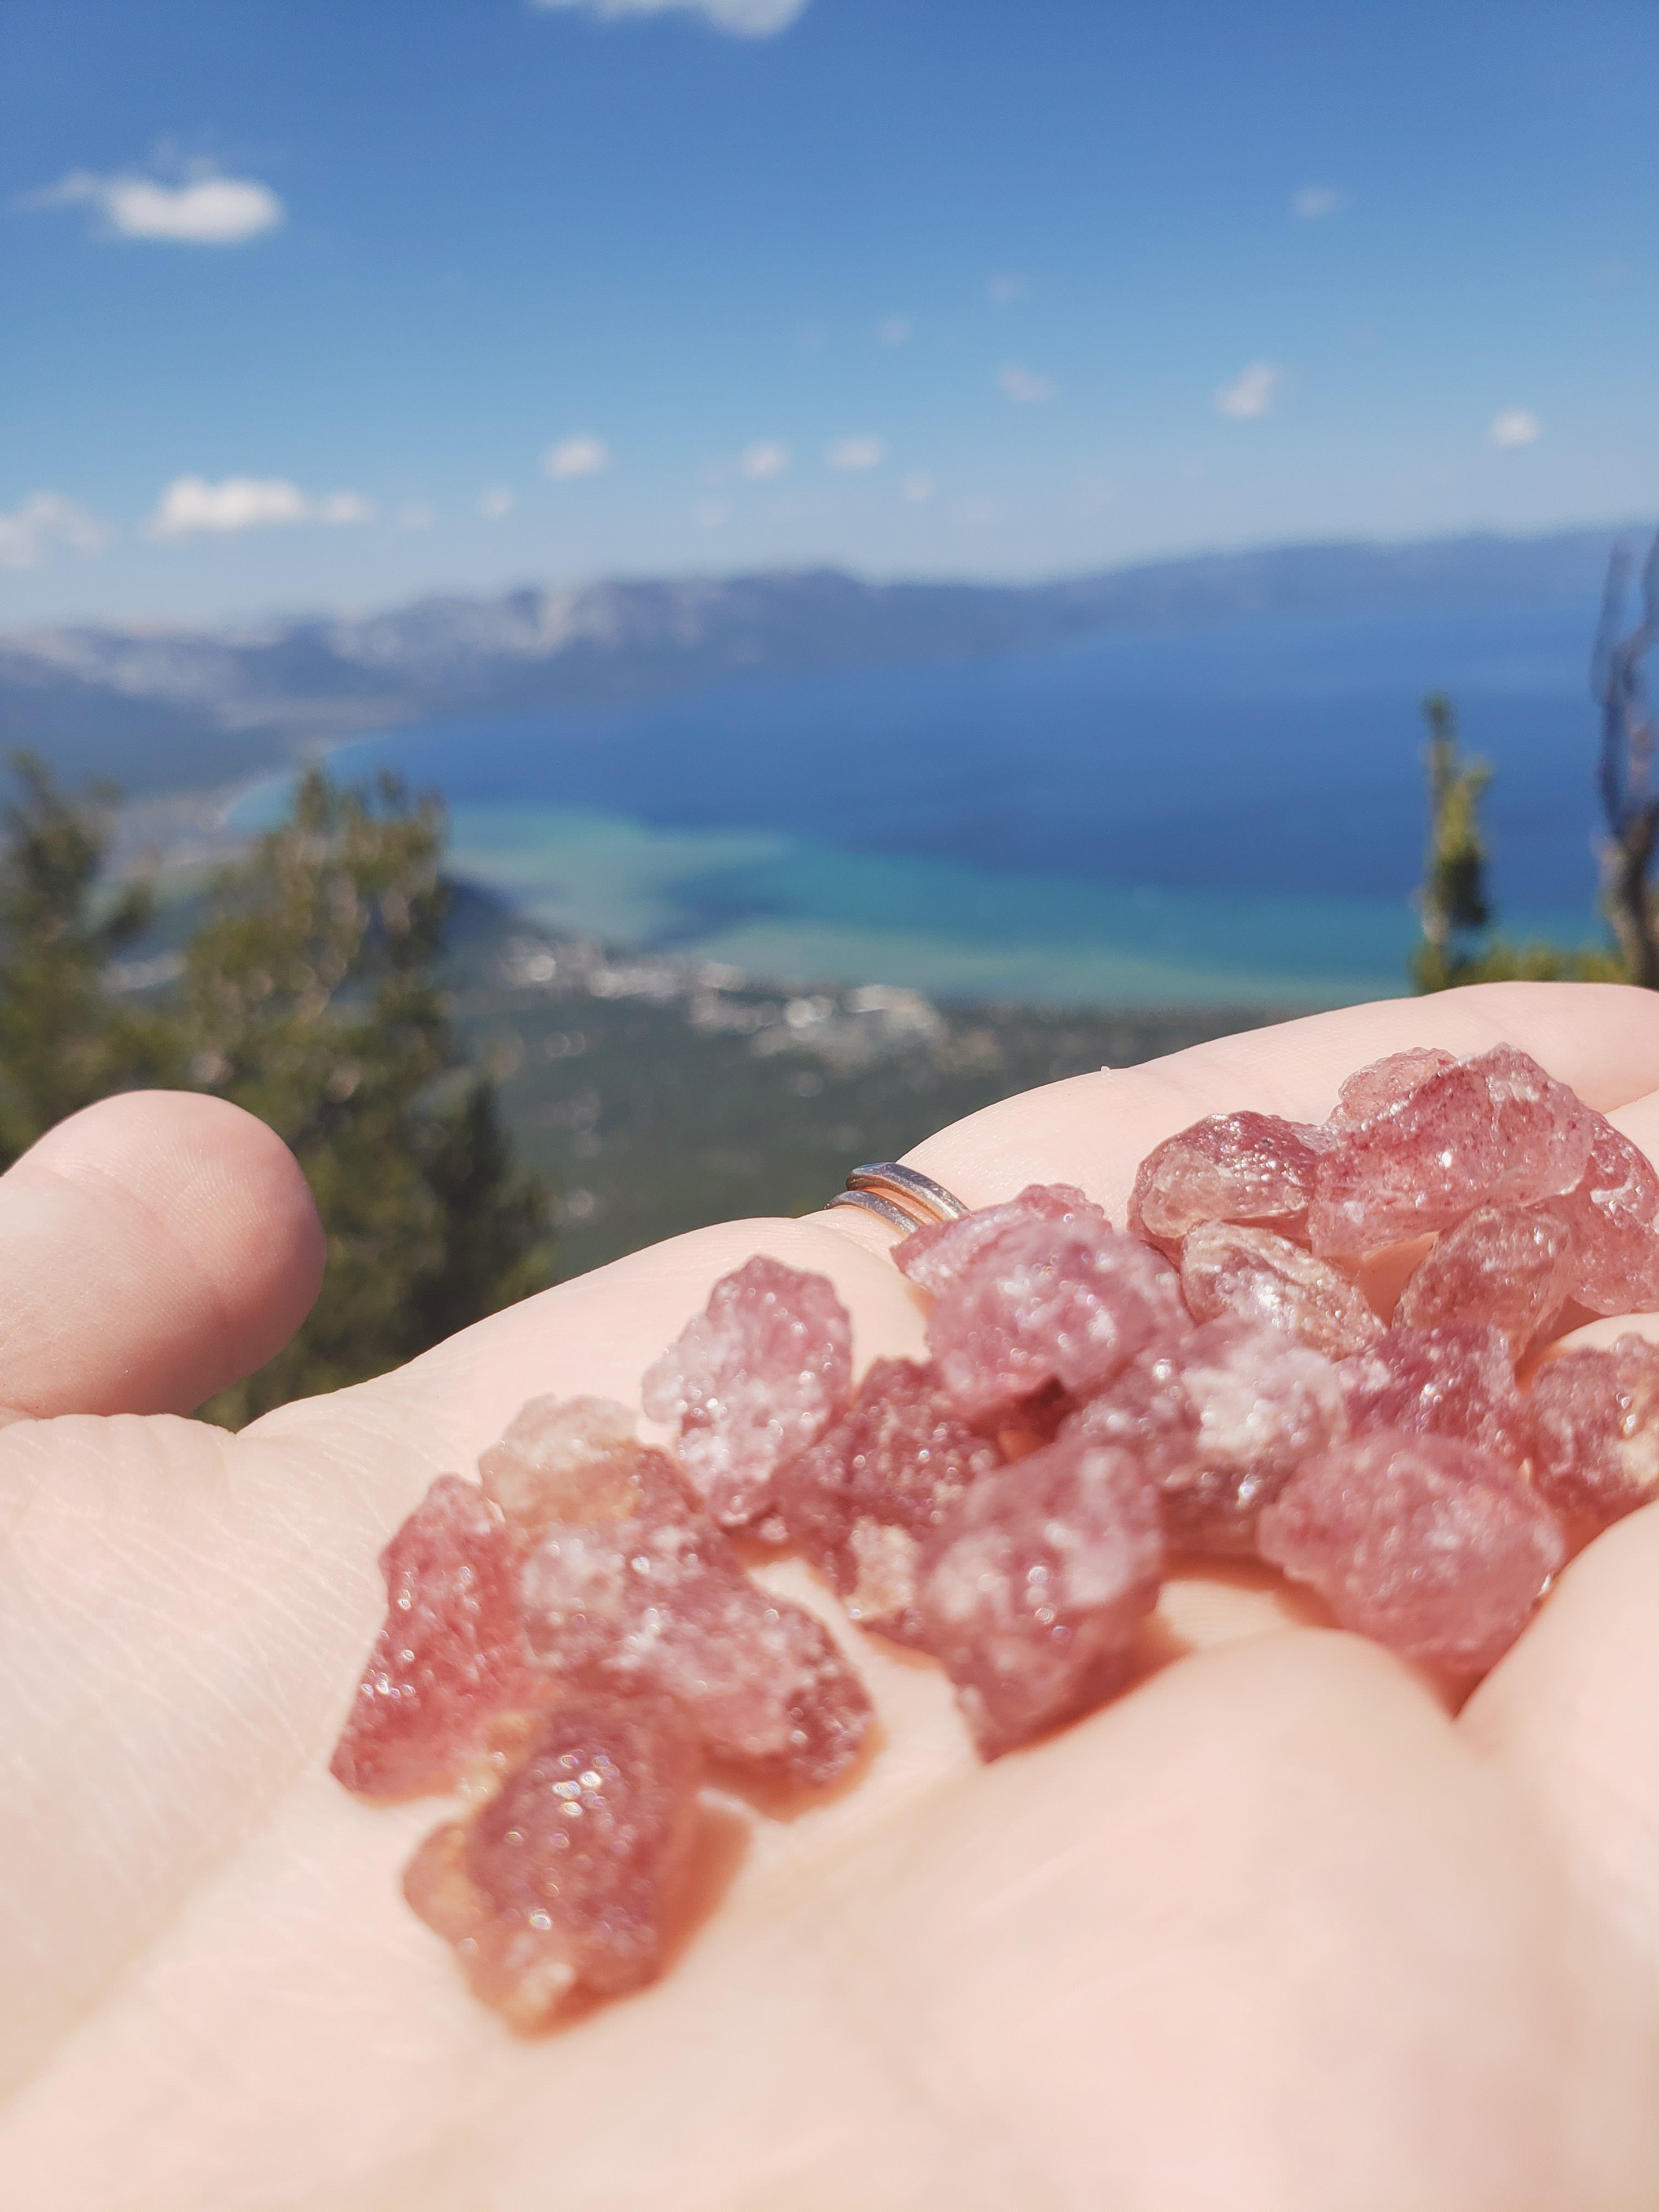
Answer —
1596 1434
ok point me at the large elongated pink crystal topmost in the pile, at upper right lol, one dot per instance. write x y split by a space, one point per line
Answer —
1483 1131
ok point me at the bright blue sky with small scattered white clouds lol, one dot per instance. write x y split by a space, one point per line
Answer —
331 302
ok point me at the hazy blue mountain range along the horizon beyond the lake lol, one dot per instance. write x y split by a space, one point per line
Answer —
187 709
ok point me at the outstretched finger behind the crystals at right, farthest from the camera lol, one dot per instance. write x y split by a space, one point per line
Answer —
1096 1129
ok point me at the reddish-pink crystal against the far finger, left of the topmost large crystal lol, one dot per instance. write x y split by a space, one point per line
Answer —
1231 1167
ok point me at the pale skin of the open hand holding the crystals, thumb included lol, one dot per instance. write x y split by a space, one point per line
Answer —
1277 1932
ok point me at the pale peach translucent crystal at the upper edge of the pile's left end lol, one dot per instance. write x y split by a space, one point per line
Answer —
578 1461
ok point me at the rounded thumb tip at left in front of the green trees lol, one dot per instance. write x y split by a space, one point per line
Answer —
154 1251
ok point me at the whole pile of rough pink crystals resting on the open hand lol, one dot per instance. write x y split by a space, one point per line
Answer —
578 1640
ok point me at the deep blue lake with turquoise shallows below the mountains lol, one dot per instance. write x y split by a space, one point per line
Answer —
1215 815
